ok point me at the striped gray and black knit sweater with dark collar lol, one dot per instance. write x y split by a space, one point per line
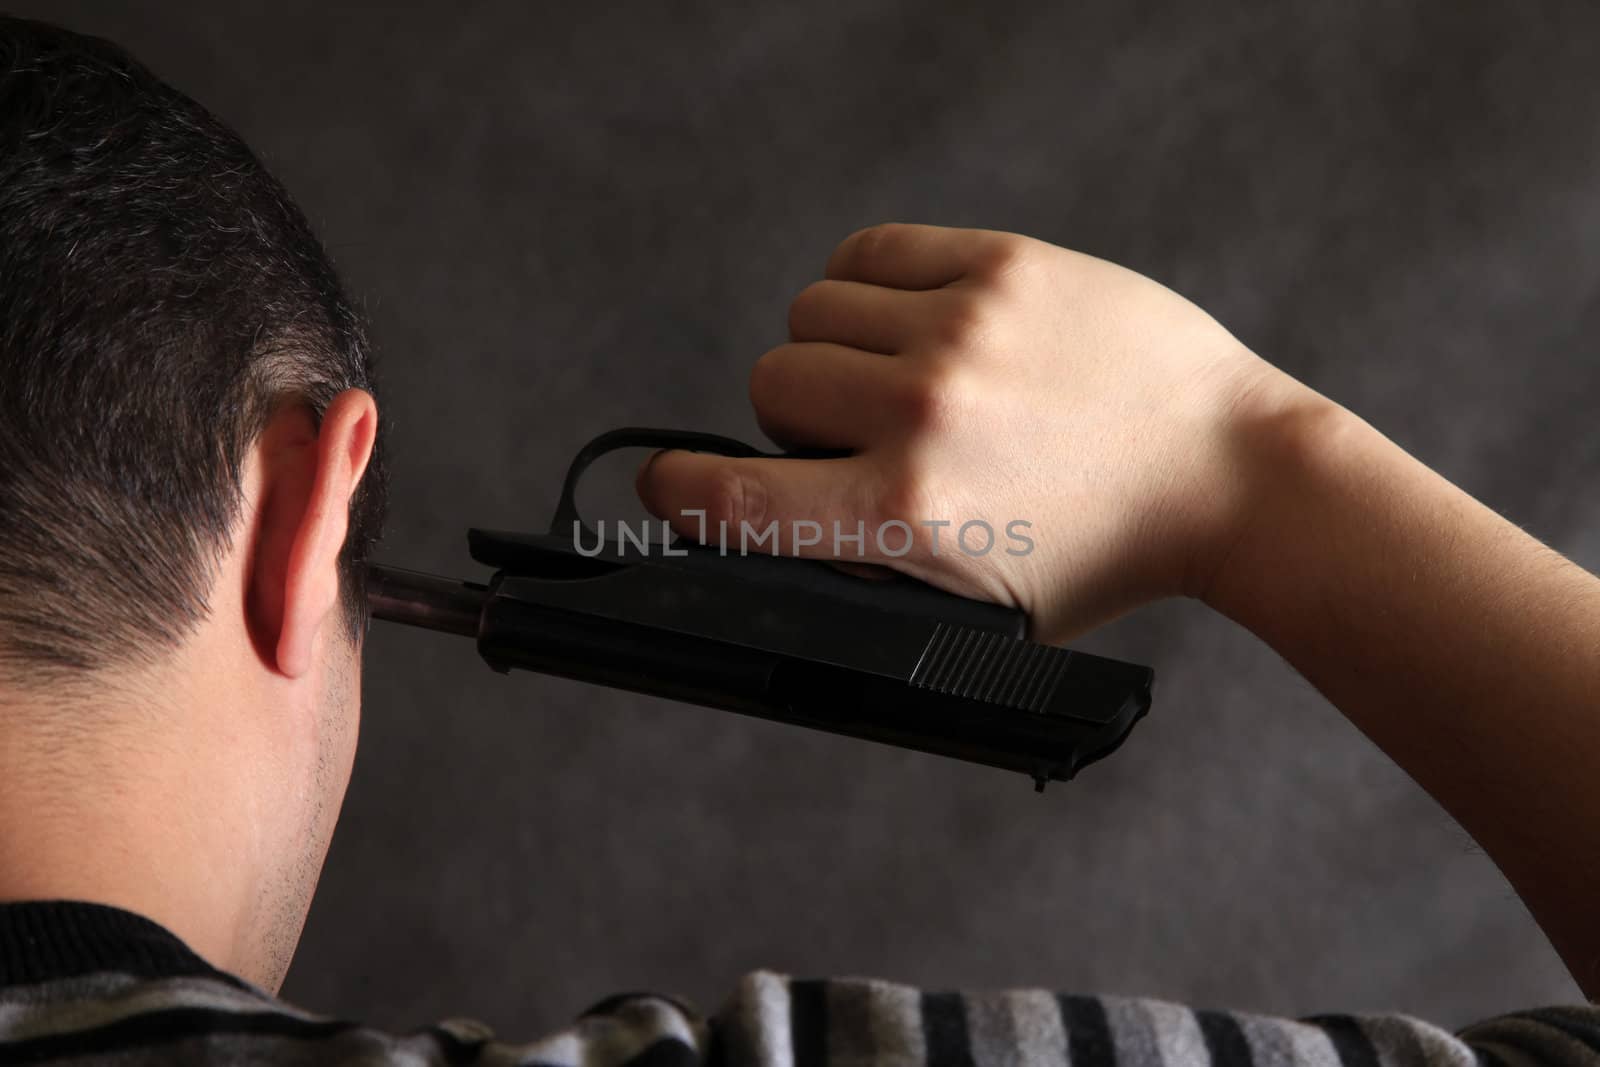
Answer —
81 983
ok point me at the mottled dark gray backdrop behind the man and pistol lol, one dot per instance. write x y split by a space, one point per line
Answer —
567 218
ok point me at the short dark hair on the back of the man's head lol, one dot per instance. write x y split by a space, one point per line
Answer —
161 297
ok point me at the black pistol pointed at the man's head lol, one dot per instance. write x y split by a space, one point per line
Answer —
785 639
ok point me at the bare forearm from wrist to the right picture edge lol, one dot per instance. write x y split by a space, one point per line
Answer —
1465 649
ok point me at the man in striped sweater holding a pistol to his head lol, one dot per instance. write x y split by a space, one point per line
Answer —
191 479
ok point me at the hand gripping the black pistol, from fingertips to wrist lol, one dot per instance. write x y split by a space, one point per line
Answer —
1098 426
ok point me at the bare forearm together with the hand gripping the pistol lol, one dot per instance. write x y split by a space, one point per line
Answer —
986 375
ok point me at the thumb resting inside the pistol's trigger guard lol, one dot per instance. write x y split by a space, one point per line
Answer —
770 506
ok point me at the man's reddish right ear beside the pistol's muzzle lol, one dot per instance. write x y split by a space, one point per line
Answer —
308 478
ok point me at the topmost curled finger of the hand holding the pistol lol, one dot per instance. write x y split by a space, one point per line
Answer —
914 257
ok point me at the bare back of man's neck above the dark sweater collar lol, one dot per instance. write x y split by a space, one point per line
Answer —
134 807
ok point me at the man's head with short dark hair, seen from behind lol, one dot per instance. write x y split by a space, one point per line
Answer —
190 481
